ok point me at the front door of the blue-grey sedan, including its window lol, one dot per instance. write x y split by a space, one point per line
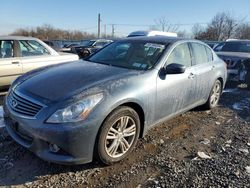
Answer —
175 91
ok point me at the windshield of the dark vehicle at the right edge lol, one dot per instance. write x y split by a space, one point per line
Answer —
236 47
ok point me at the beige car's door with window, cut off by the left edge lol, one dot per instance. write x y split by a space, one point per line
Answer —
10 66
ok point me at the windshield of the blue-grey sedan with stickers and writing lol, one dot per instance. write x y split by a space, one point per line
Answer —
139 55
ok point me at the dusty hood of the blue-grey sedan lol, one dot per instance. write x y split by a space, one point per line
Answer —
67 80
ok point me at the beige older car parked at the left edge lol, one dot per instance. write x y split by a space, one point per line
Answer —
19 55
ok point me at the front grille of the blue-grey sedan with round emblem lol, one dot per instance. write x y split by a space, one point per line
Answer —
23 106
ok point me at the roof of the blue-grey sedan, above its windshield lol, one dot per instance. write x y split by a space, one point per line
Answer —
157 39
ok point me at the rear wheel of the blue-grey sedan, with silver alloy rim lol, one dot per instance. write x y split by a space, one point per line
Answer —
214 96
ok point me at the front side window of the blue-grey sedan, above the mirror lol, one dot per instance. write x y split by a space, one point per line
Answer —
181 55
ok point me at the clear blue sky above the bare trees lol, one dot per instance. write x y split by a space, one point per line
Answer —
139 14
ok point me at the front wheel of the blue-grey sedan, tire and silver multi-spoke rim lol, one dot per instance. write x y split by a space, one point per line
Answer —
118 135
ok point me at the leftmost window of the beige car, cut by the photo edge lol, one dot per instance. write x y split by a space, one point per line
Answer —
6 49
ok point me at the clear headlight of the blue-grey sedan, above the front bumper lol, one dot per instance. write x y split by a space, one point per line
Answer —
77 111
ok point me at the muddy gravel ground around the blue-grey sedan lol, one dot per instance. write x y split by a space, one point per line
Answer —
196 149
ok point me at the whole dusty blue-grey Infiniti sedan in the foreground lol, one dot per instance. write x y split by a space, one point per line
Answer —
75 112
